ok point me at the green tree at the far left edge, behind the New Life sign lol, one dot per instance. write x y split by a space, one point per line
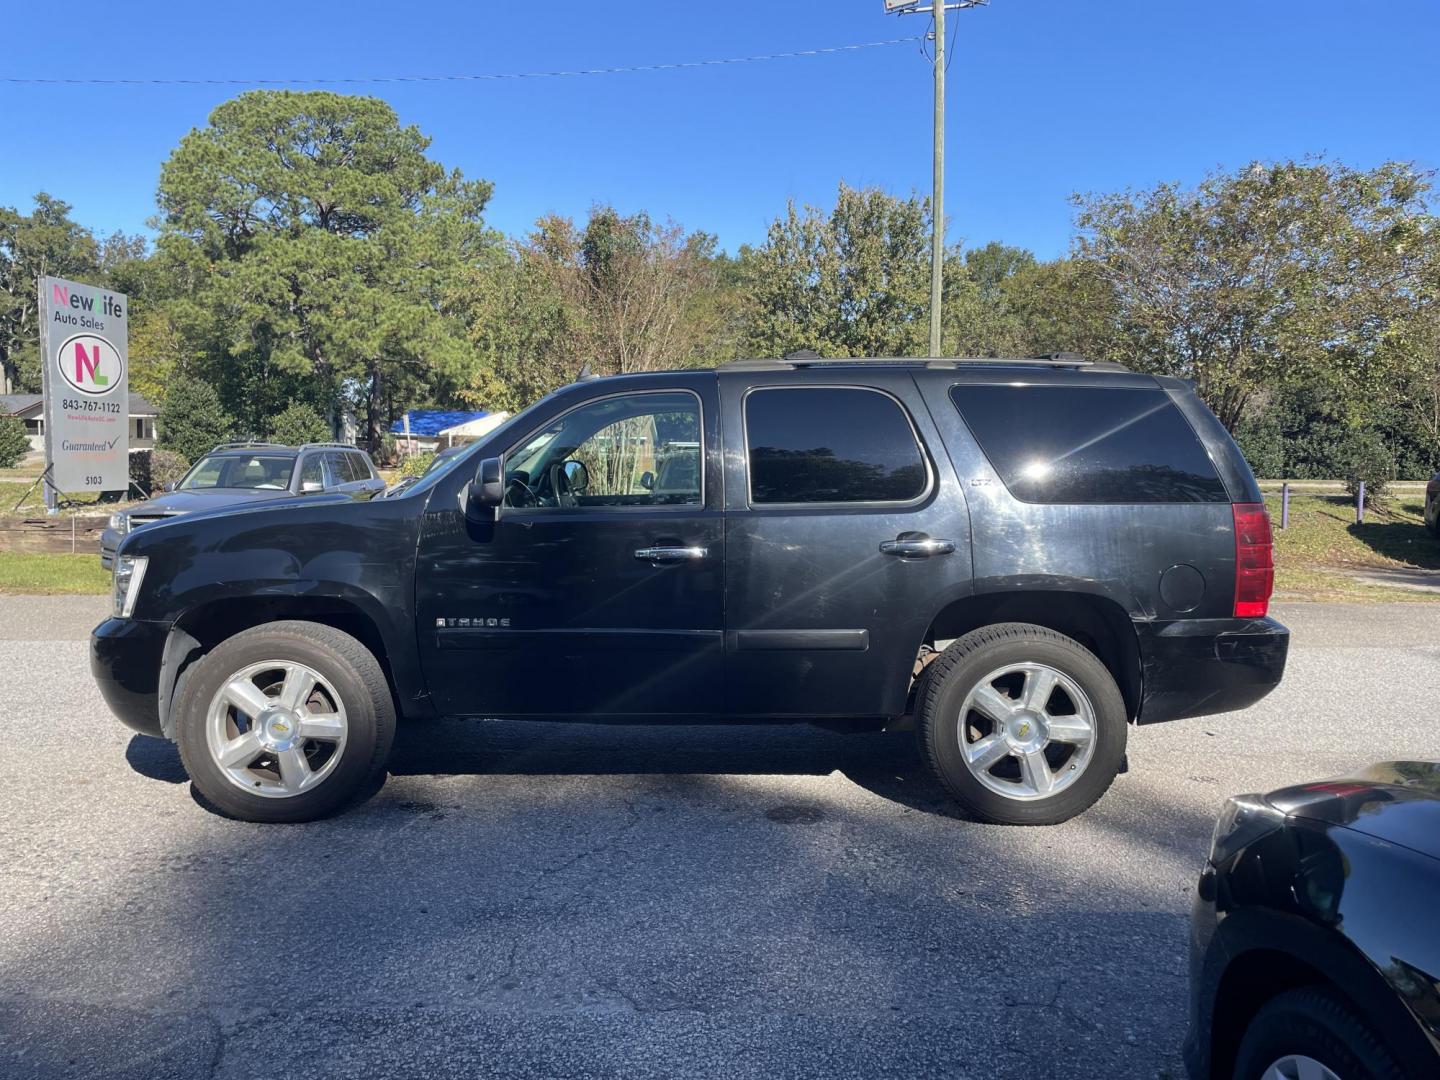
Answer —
44 243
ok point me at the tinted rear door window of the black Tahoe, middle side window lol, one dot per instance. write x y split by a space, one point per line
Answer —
830 446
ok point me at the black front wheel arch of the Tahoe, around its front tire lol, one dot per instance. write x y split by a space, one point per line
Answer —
205 626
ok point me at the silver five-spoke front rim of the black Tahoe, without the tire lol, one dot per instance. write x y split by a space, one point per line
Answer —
276 729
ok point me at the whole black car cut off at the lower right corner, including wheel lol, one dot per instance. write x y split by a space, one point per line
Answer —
1315 950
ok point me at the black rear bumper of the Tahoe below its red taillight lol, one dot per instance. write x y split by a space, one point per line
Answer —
1197 667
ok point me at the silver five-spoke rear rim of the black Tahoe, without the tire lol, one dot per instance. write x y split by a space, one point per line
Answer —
1027 732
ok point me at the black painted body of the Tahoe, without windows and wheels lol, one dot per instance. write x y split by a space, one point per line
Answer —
790 611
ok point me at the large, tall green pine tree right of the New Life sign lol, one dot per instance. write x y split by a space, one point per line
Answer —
319 238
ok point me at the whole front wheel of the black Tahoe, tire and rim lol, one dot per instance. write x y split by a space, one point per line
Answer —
284 722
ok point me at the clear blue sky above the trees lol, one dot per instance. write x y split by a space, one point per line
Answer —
1046 99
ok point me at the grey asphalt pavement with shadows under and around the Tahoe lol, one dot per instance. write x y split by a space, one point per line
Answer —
642 902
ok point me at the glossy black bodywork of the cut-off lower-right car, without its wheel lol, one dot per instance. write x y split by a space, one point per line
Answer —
1328 891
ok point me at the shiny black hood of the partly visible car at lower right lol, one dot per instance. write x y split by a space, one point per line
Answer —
1395 801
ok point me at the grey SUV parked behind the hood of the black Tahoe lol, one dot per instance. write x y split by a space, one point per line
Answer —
244 473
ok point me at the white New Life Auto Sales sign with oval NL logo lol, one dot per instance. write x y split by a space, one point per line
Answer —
84 354
